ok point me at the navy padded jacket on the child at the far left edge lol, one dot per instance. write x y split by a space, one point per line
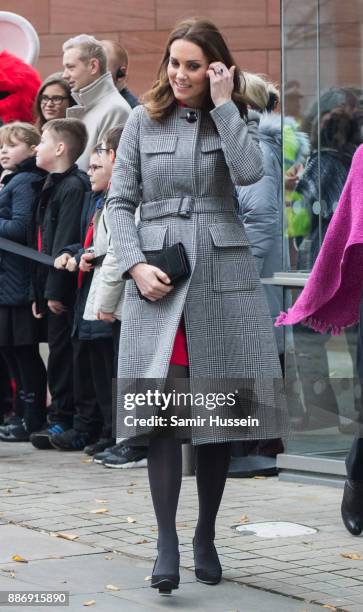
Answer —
17 203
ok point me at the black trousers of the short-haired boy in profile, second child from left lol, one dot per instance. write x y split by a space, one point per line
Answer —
60 367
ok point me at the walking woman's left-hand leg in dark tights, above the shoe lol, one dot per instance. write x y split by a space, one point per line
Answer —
165 475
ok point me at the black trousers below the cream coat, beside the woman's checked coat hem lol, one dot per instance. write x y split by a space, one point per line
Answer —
93 373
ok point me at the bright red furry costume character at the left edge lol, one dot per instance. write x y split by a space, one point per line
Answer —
19 84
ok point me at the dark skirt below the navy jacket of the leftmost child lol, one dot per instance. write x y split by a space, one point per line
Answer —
18 327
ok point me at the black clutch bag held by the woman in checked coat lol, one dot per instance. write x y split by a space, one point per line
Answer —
173 261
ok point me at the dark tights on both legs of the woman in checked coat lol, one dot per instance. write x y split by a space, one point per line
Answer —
165 475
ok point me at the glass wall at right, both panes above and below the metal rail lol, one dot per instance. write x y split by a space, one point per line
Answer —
322 92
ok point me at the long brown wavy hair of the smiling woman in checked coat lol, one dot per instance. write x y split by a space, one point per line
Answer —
160 100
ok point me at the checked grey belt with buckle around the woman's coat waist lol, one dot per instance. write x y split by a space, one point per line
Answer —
185 206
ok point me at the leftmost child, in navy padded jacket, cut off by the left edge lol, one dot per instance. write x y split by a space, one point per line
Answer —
19 331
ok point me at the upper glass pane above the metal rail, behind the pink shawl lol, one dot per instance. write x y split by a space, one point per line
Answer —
322 79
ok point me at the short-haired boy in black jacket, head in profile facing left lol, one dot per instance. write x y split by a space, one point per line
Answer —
59 205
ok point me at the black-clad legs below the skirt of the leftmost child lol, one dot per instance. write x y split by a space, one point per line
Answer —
30 375
